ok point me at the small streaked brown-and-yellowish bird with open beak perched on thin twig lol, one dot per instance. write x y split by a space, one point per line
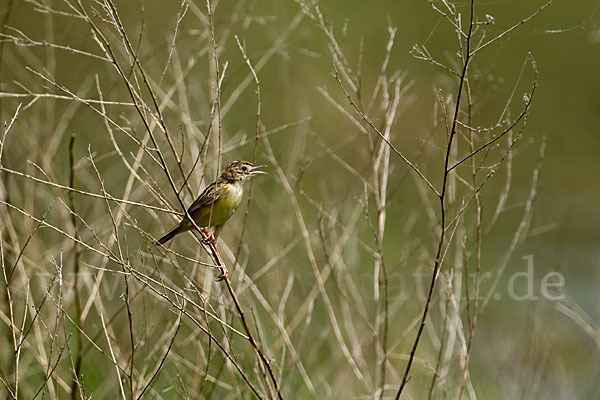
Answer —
217 203
